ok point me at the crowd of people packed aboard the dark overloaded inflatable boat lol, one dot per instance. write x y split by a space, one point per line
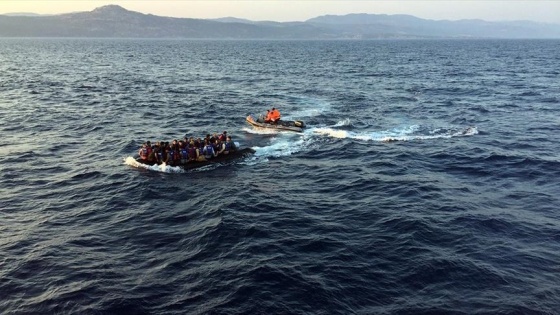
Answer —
186 150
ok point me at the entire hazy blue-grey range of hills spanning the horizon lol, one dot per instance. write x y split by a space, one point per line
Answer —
113 21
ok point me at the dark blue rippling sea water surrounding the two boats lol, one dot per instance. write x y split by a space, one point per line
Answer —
427 181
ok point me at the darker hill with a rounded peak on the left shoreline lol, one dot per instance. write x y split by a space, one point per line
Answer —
116 22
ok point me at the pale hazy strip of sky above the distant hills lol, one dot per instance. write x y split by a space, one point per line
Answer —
291 10
